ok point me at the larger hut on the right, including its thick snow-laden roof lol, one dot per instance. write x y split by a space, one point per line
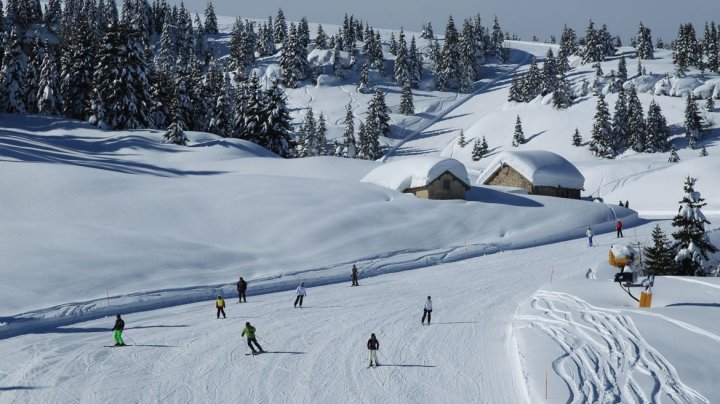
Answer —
539 172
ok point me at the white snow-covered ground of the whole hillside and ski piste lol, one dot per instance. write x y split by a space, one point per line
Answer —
98 223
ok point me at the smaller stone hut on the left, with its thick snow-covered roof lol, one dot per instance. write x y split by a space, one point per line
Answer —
426 177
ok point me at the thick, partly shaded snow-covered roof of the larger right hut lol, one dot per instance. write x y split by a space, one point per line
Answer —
542 168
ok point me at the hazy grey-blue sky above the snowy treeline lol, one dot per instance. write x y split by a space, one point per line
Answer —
525 17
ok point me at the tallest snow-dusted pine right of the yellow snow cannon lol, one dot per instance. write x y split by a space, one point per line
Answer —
691 241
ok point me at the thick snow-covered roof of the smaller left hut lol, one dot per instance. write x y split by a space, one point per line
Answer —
415 172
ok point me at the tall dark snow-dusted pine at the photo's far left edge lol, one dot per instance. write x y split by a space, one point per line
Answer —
12 80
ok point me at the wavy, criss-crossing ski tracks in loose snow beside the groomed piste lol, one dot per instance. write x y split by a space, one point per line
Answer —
604 357
